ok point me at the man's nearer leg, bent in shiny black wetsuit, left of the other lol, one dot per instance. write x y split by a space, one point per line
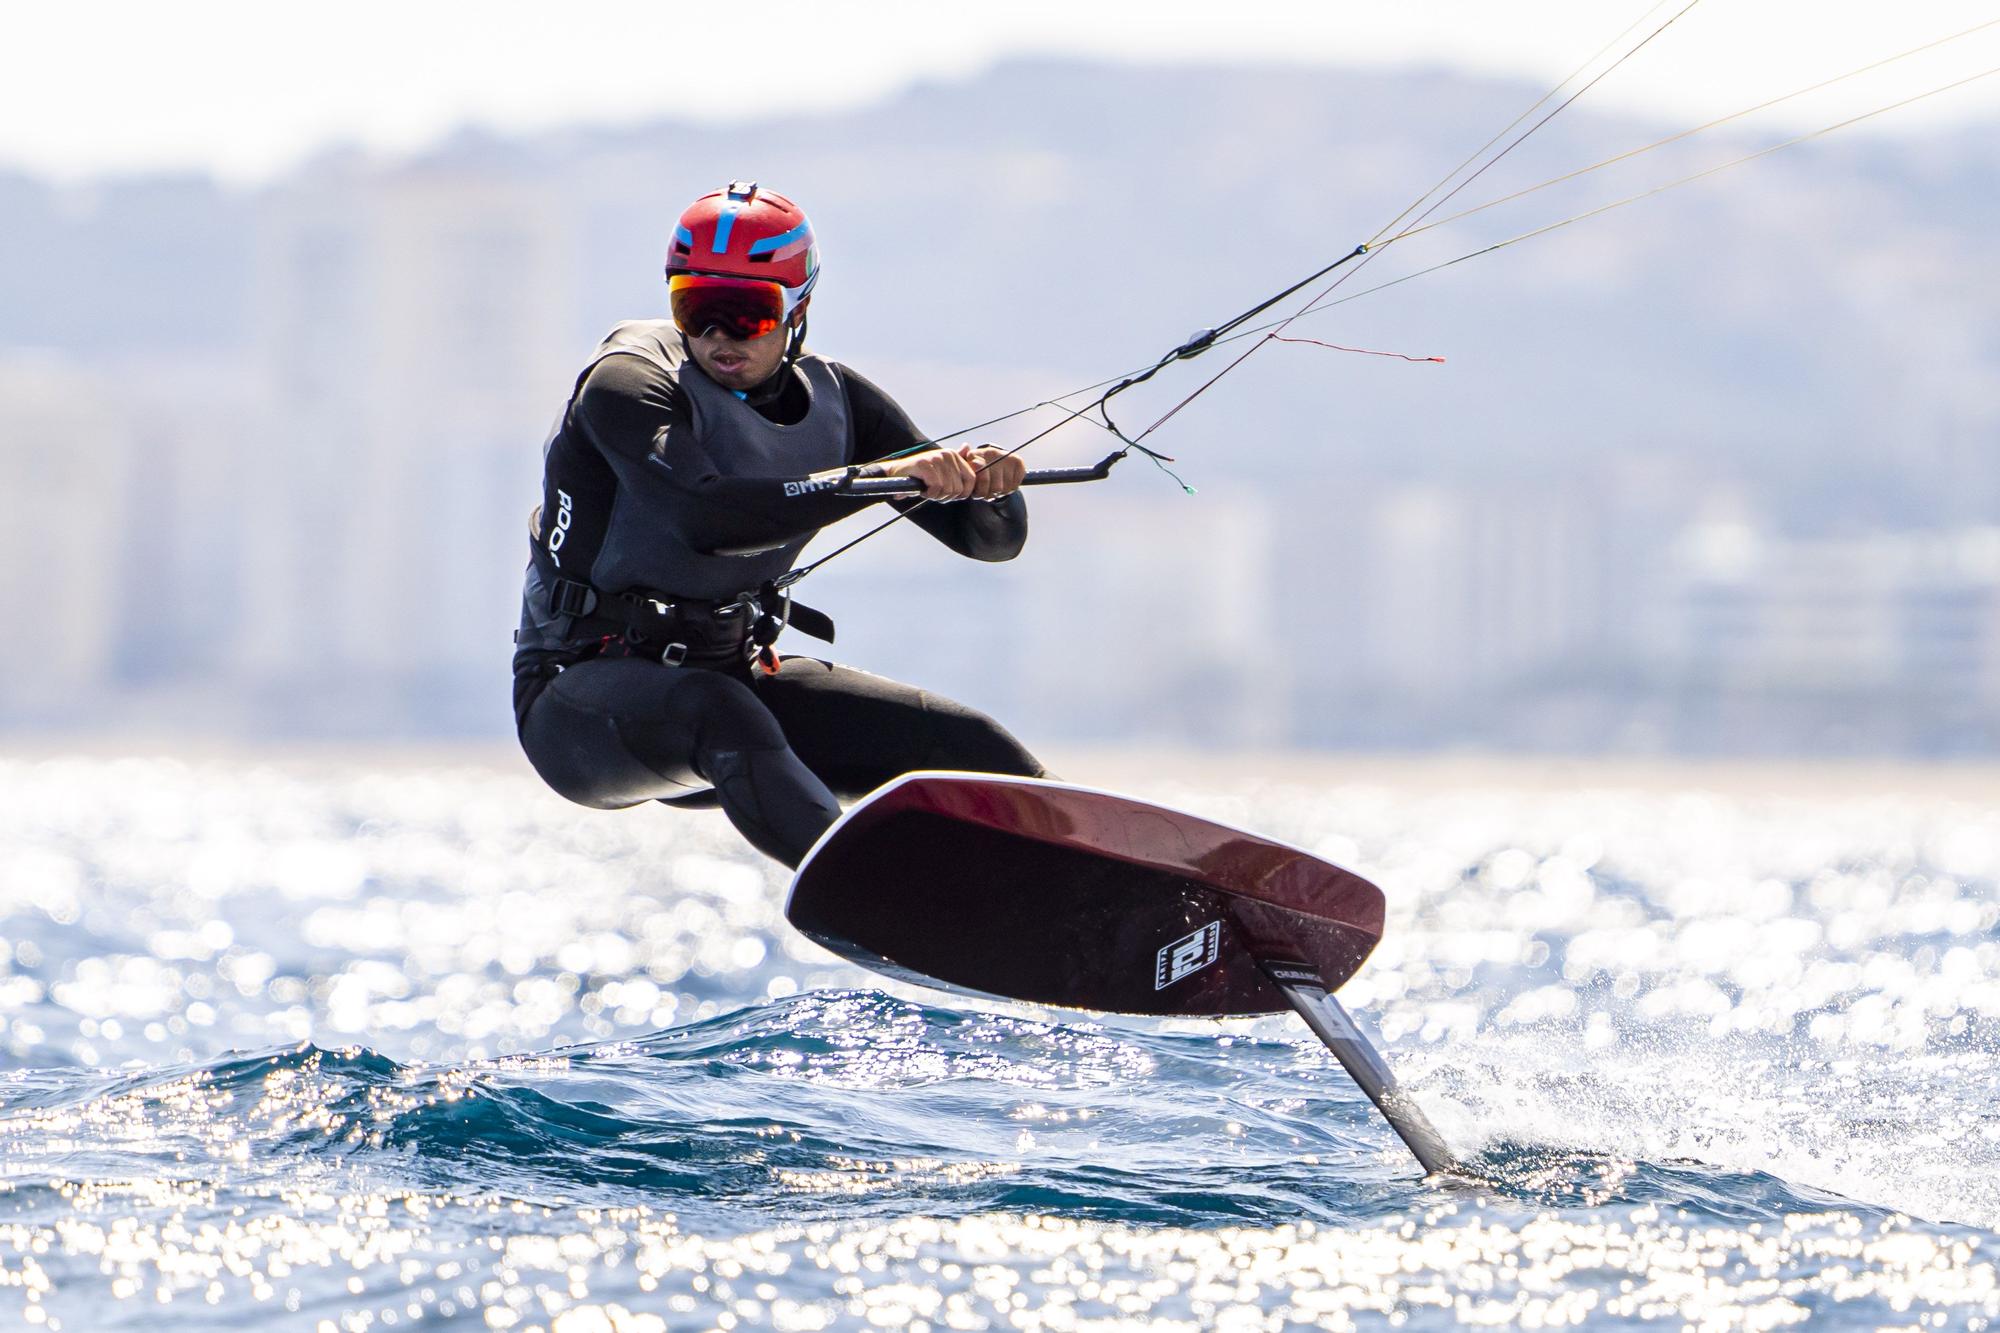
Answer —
619 732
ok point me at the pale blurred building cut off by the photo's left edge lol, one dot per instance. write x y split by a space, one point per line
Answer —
125 541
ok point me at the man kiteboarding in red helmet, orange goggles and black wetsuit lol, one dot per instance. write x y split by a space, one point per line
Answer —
691 465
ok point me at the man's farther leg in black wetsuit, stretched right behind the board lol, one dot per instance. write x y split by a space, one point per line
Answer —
859 732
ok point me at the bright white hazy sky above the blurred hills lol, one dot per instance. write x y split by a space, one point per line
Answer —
249 87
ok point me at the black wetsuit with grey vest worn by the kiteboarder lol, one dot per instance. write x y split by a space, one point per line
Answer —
649 473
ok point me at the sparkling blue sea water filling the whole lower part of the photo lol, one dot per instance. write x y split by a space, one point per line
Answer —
327 1048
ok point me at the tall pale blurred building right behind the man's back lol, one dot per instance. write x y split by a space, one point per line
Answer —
417 329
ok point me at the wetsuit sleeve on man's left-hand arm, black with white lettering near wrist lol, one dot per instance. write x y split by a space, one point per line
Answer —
639 419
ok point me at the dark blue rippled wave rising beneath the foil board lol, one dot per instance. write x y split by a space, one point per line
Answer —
829 1104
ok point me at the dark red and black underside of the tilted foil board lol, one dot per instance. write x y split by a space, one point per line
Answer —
1063 896
